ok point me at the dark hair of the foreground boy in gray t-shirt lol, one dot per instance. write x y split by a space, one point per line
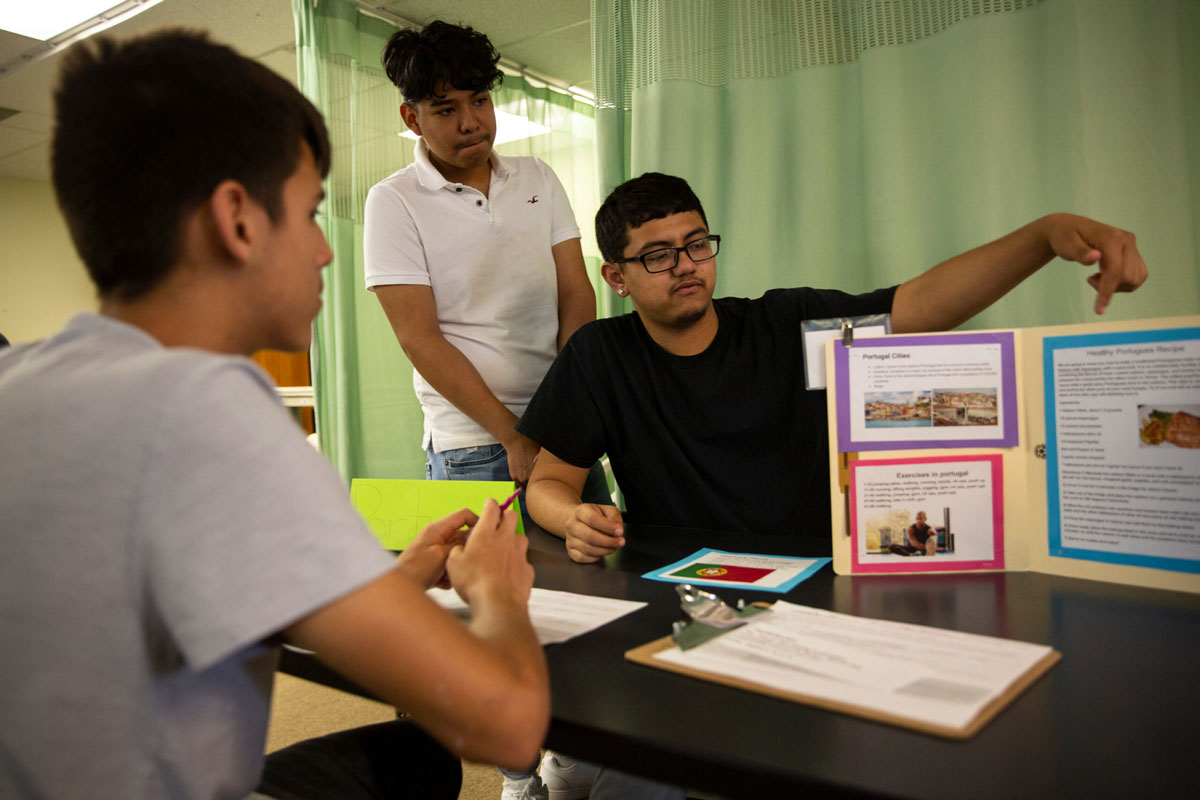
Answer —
148 128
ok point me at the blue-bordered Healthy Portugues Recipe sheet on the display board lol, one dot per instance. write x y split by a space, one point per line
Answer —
1124 448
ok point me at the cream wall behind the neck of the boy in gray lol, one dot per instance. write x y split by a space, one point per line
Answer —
43 282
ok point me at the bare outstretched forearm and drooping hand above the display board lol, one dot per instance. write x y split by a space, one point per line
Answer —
957 290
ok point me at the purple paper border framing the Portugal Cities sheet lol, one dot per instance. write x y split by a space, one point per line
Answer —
1009 387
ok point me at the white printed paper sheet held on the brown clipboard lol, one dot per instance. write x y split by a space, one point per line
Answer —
925 675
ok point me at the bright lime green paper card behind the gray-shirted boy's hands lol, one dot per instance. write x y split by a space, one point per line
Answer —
398 509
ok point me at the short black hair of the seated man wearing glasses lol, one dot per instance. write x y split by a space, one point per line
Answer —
652 196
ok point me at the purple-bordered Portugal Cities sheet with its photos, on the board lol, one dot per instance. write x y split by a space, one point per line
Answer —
952 390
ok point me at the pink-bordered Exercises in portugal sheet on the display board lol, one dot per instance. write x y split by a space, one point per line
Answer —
922 515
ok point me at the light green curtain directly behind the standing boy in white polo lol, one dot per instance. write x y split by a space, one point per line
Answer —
369 422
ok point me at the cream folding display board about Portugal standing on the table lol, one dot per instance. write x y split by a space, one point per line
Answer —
1069 450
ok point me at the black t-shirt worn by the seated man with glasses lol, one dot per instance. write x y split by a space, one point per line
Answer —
728 440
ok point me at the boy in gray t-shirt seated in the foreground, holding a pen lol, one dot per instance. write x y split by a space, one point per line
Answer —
165 525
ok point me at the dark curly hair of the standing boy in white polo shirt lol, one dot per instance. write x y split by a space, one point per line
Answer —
425 63
